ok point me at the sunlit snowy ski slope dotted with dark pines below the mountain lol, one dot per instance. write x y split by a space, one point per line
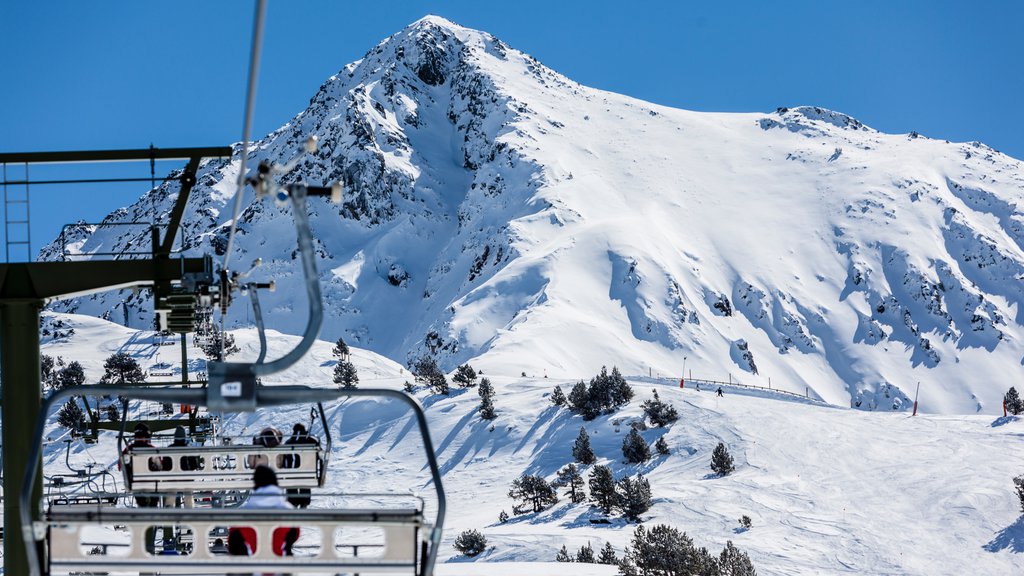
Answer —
830 490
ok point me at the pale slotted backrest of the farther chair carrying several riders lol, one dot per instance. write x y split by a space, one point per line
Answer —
222 468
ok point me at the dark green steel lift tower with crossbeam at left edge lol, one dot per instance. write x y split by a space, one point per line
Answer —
25 289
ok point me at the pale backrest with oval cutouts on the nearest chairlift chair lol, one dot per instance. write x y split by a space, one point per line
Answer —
405 539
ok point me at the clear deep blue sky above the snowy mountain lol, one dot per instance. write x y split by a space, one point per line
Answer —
108 75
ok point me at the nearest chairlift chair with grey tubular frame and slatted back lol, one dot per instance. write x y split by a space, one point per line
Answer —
410 541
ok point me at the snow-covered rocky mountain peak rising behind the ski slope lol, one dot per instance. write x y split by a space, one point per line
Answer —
498 212
